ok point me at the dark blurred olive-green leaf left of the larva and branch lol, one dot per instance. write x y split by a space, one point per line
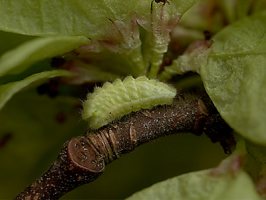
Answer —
34 129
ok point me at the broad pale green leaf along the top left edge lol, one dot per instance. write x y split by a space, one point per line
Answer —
74 17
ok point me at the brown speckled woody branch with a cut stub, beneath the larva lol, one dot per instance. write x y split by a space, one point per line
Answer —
82 159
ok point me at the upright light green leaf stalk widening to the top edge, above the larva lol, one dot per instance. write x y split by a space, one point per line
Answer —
164 18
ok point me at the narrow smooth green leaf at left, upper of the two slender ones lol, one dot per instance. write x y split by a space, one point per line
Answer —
23 56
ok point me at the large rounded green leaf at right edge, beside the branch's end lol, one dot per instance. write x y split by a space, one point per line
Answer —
235 76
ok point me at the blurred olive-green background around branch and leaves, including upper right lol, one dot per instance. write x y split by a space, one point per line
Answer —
36 122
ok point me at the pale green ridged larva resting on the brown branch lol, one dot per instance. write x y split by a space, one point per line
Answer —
114 100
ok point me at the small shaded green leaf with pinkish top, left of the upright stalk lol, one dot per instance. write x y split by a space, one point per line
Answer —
122 58
